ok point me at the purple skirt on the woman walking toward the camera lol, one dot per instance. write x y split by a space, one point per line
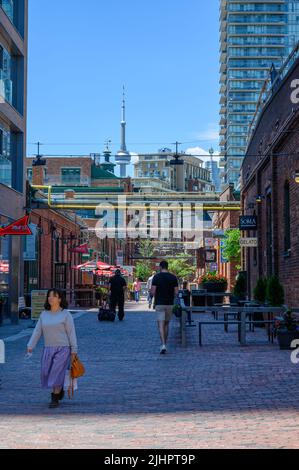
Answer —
55 362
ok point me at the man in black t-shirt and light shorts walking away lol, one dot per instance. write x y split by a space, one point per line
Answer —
164 289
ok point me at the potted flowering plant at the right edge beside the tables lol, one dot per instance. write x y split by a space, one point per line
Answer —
286 330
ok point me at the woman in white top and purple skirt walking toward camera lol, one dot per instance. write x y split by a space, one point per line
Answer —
56 325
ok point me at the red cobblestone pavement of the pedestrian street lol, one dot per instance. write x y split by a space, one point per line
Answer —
218 396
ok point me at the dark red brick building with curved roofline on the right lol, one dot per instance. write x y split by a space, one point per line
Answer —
269 187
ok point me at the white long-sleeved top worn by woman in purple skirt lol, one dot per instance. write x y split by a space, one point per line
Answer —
58 329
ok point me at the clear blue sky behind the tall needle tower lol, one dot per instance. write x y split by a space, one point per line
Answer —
165 53
